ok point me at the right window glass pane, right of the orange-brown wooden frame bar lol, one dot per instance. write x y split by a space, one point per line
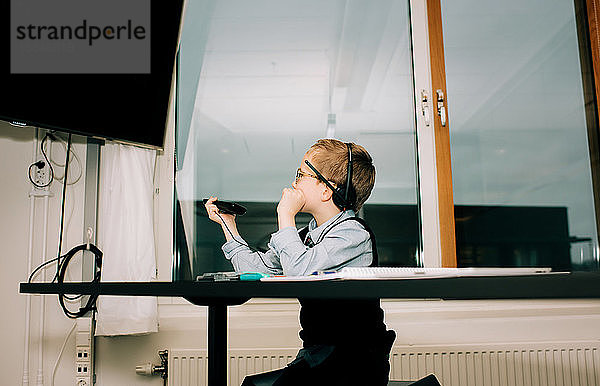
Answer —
520 159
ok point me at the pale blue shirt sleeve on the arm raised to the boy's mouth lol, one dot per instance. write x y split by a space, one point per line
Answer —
347 244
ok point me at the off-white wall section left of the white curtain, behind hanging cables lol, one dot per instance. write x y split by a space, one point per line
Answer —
15 158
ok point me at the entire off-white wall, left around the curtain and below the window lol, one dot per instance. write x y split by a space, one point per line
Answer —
259 323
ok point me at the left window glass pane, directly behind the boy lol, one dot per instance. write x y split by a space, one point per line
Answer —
257 82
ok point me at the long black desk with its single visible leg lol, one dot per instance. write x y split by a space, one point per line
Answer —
219 295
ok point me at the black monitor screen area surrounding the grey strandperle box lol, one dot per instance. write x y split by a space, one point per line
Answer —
124 107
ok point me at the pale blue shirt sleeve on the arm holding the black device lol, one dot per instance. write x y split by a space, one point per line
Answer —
244 259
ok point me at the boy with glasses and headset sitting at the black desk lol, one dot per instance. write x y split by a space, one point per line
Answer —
345 341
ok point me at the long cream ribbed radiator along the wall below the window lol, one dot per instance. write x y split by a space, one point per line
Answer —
568 364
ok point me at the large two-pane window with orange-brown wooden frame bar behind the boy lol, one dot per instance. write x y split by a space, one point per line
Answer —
507 180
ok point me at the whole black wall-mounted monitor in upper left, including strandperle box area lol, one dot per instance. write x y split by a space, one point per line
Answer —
112 79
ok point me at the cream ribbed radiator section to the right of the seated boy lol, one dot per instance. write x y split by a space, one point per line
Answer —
570 365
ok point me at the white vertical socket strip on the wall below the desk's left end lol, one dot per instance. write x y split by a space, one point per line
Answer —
84 352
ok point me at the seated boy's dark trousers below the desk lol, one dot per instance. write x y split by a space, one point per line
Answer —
358 366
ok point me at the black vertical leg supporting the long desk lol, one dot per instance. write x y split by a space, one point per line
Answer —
217 345
